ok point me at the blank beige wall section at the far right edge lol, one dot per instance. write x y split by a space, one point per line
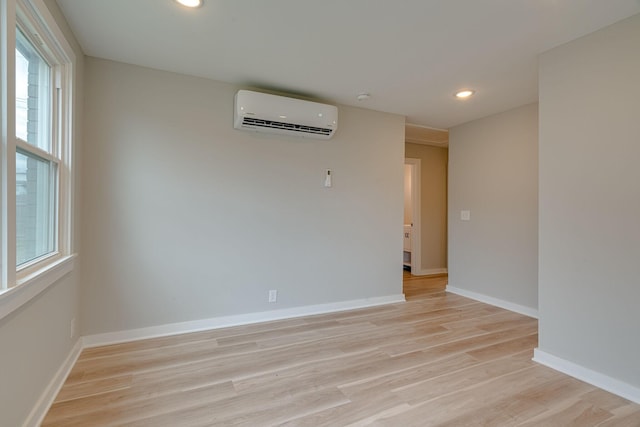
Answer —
590 202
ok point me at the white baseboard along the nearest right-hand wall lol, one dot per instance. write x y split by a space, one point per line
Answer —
587 375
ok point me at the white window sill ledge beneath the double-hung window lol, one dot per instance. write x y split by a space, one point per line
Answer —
28 288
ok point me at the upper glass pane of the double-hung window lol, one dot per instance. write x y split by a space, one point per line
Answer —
32 95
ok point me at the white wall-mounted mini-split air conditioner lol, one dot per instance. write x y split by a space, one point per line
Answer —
262 112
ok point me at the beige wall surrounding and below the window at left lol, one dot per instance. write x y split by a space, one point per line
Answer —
35 339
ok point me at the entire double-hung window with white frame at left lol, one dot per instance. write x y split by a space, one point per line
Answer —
35 166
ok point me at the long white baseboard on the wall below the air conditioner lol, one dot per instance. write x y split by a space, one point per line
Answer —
236 320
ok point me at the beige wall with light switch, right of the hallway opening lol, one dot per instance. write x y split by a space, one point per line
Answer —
493 173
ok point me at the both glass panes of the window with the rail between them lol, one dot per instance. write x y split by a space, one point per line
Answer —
36 166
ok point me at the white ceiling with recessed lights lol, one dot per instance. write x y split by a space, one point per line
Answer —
410 55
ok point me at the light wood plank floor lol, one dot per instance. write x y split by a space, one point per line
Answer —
437 360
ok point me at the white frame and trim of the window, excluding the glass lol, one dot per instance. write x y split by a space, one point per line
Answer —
20 284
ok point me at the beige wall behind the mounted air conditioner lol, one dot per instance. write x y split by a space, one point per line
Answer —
187 218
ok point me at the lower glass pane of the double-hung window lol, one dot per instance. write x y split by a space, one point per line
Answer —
35 213
